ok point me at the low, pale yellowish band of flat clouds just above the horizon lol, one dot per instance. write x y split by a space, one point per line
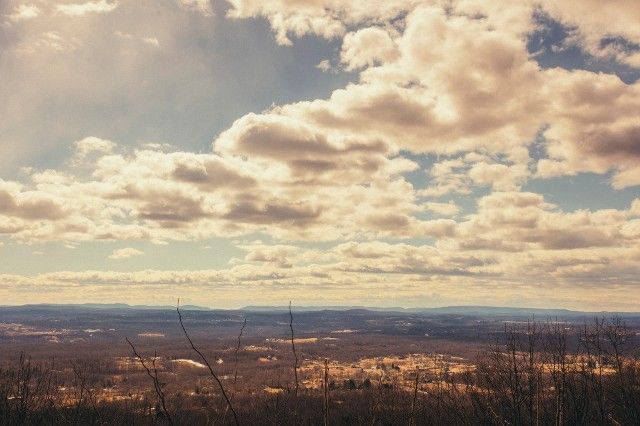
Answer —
367 271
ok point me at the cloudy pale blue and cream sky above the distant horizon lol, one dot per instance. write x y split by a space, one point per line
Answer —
396 153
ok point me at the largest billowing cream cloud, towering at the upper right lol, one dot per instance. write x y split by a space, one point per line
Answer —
408 96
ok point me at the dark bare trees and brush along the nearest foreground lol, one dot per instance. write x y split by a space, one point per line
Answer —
535 373
